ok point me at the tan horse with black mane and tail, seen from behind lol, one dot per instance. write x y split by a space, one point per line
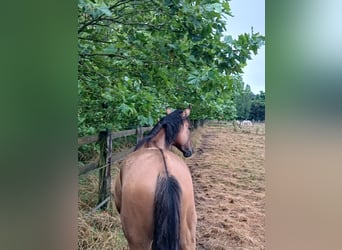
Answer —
153 191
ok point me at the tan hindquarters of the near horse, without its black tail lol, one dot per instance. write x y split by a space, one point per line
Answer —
137 196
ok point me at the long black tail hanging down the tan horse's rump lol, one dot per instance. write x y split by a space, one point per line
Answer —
166 234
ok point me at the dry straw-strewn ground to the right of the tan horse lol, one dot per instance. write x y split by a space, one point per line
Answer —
229 183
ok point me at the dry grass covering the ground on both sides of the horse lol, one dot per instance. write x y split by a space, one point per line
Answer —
229 182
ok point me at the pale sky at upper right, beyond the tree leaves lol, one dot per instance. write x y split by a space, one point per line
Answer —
247 14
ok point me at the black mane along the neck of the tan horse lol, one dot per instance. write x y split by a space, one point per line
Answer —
171 123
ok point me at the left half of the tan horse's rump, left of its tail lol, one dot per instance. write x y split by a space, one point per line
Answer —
138 181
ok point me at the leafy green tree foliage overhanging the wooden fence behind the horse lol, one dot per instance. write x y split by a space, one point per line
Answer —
137 57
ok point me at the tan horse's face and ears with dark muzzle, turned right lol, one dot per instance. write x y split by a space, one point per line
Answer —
183 140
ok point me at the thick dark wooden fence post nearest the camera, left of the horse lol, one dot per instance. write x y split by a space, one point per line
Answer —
104 173
